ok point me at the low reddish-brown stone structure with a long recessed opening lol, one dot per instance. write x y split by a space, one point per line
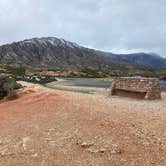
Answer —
137 87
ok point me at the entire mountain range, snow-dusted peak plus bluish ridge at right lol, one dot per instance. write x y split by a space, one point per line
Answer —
59 54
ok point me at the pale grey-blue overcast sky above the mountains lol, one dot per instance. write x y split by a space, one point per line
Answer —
119 26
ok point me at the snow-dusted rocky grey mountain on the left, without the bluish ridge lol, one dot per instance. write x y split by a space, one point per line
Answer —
53 53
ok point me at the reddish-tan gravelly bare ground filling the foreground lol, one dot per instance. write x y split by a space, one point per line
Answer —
45 127
